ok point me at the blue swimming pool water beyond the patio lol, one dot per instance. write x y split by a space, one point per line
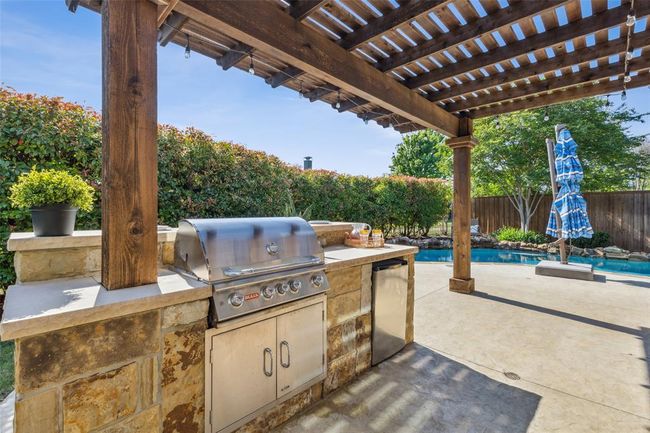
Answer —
485 255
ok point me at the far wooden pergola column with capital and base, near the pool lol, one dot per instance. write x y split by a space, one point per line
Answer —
462 145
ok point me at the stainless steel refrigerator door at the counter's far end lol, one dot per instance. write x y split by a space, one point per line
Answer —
389 288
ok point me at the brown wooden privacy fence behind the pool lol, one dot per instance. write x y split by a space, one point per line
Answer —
625 215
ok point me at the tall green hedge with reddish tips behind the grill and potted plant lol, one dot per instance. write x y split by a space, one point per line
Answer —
198 176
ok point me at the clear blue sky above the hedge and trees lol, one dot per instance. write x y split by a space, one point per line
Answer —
47 50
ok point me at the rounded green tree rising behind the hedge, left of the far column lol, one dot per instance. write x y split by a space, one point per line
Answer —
422 154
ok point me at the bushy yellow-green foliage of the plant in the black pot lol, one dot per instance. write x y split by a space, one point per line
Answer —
50 187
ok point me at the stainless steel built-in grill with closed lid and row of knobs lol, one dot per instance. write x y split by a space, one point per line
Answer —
251 263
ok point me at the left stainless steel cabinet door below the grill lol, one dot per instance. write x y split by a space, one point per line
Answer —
243 372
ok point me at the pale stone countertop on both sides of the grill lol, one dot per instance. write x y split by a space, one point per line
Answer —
39 307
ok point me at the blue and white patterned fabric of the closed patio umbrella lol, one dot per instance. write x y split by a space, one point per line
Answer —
569 202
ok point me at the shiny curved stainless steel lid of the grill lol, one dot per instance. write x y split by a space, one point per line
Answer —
219 249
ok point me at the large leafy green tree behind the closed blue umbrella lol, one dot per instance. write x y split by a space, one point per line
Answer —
511 157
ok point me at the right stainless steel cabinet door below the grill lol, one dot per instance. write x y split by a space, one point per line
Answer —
300 348
